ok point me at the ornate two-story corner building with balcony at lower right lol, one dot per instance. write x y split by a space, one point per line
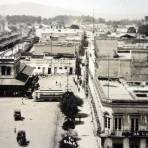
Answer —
123 115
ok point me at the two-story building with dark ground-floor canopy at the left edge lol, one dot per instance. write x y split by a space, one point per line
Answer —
14 76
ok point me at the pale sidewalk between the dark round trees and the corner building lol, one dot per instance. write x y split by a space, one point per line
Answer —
86 130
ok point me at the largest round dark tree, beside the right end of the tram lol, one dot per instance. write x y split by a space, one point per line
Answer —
69 105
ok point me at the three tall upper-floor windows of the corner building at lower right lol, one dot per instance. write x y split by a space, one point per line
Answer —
118 123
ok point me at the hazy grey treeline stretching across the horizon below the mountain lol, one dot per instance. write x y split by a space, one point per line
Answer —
68 19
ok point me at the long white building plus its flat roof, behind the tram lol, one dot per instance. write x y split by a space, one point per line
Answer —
52 59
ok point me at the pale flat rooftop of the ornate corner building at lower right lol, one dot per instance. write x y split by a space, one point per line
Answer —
120 91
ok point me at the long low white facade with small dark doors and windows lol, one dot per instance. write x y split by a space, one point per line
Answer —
52 65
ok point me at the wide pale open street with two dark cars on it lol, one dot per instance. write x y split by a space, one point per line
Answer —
40 123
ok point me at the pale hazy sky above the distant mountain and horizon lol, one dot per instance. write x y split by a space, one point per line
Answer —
122 8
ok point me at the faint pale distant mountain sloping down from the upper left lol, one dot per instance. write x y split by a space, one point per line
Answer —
35 9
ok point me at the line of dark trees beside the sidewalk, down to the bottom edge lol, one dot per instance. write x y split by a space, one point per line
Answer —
69 107
